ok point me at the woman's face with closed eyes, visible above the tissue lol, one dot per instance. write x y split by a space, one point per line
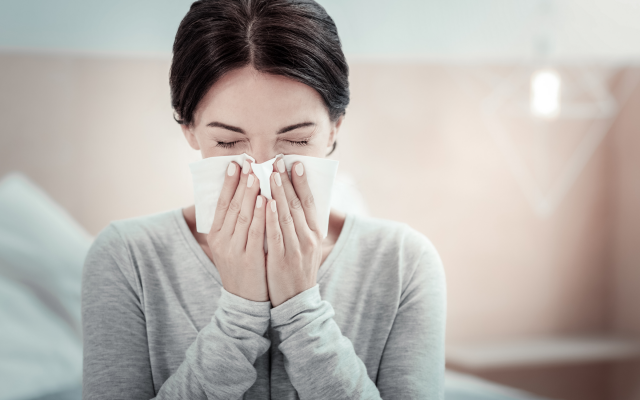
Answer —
247 111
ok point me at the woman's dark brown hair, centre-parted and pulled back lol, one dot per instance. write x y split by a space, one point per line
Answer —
292 38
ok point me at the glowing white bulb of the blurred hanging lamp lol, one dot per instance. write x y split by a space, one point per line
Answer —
545 94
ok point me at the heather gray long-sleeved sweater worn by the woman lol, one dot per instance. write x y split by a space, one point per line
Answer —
157 322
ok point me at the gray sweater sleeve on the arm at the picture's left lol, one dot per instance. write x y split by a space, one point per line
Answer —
116 364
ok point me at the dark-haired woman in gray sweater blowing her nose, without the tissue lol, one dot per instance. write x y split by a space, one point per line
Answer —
175 314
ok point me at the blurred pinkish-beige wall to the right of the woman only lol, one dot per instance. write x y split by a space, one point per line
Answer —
416 134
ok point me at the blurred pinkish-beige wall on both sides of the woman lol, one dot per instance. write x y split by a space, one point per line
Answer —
98 135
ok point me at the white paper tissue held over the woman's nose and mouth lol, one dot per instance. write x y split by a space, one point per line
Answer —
208 177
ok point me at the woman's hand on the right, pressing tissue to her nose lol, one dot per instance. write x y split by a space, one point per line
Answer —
293 237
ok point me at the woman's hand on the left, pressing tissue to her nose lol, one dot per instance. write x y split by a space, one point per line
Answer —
236 238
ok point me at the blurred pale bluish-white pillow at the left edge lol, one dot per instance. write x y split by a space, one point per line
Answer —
42 251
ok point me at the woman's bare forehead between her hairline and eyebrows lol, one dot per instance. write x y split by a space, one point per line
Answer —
245 95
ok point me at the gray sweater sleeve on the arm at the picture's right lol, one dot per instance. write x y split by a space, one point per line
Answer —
322 363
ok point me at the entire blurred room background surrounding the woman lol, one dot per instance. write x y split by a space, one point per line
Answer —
506 131
